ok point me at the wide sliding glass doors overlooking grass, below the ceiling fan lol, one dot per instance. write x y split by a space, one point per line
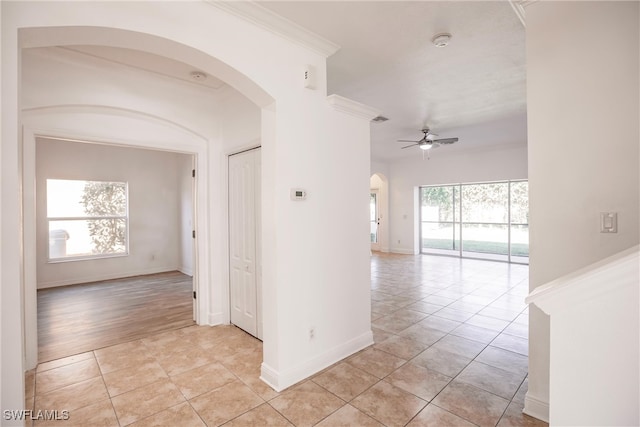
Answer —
488 220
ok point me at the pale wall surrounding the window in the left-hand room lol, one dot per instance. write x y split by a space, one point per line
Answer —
154 208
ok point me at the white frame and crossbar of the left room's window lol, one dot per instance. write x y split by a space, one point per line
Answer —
92 256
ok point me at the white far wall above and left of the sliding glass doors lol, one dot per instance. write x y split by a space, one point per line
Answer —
442 167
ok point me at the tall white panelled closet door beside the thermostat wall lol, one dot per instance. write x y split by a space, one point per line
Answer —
244 247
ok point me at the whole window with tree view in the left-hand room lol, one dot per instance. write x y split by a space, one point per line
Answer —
86 219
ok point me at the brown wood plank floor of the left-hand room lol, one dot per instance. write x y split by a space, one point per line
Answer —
79 318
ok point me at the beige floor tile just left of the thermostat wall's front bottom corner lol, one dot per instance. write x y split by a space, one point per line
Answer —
225 403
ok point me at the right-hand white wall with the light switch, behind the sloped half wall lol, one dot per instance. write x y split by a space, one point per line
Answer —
583 115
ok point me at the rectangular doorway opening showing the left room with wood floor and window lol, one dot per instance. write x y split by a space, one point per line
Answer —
113 243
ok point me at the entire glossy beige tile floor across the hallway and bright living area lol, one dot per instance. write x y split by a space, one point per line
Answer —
450 350
